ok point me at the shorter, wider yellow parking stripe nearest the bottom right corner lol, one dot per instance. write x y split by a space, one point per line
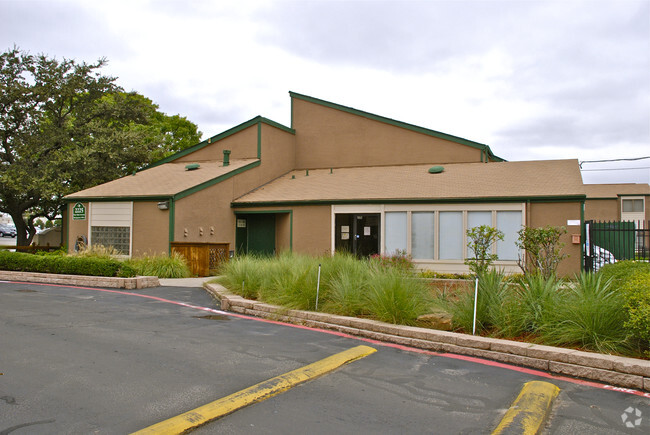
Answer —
529 410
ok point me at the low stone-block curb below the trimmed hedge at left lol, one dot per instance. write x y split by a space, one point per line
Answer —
137 282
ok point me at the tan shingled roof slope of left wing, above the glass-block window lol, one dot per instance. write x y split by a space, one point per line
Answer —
165 181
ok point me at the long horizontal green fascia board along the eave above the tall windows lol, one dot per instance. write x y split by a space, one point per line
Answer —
538 199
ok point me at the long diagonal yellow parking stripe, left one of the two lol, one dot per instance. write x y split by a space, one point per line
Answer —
256 393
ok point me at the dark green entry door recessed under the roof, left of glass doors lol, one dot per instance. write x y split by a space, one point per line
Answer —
255 234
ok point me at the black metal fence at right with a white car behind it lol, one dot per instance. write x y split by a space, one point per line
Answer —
609 242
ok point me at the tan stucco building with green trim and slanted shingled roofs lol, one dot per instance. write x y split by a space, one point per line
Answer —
336 179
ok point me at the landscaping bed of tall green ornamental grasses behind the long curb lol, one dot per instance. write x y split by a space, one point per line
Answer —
593 312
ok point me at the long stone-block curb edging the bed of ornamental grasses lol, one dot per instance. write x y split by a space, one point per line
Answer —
609 369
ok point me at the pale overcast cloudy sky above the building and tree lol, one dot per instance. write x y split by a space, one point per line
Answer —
532 79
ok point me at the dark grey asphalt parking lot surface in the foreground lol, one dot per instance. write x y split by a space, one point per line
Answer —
81 360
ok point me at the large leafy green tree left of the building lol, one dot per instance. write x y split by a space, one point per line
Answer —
65 127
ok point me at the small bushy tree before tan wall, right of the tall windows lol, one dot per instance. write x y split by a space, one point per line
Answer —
543 250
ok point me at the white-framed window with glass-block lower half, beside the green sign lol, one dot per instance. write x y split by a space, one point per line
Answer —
110 225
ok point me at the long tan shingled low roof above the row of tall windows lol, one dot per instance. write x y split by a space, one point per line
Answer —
413 183
